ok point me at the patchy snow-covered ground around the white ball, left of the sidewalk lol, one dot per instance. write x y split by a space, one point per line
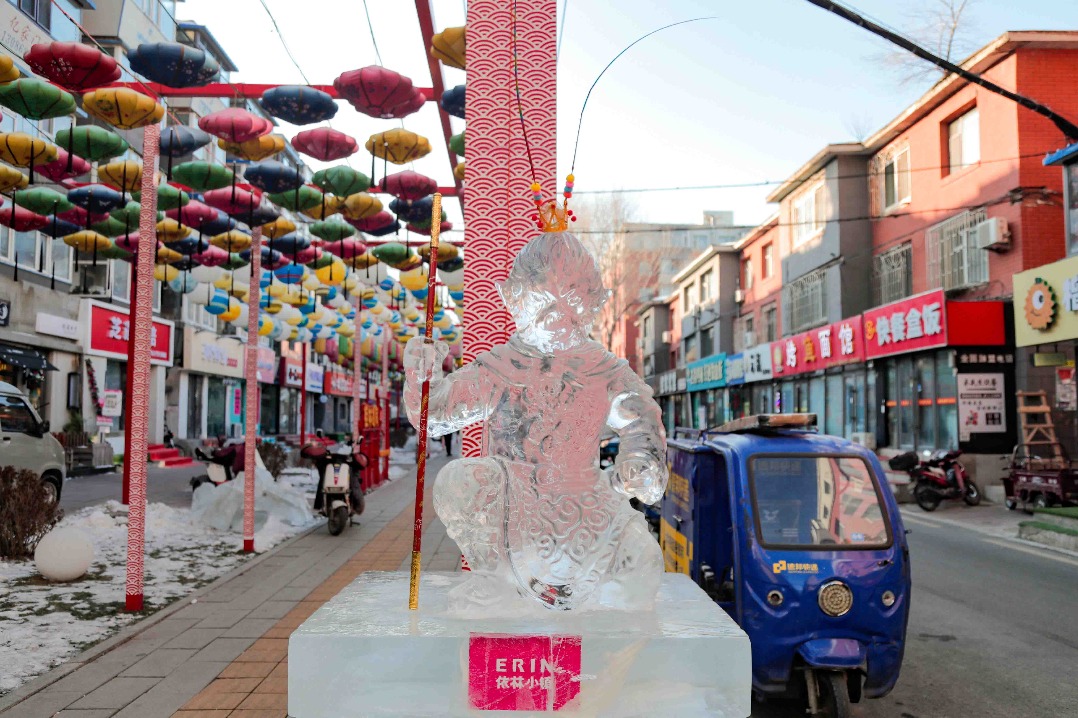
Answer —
43 625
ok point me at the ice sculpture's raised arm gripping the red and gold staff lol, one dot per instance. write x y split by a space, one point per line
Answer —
458 401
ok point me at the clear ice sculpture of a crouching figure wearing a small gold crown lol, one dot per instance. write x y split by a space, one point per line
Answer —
537 517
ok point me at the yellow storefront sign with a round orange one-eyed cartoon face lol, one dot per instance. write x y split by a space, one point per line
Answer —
1046 303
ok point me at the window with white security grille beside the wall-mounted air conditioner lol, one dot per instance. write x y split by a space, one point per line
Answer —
955 261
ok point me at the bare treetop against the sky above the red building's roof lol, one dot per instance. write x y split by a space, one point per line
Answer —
946 27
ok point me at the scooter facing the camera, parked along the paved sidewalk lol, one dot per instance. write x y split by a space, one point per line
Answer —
340 494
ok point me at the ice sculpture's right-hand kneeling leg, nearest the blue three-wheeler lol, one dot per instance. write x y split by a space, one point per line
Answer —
637 572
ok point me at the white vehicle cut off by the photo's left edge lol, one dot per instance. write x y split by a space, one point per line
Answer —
25 443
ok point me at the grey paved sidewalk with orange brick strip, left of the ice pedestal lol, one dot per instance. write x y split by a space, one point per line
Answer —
225 654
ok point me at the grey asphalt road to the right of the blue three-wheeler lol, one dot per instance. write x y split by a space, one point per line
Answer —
993 629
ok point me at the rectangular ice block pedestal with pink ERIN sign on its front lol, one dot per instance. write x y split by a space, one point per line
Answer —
364 654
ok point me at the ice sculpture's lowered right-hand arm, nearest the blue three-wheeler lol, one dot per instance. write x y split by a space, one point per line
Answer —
640 470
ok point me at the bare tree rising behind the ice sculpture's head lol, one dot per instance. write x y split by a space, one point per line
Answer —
630 271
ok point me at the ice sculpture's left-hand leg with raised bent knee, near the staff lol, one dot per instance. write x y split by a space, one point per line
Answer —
469 499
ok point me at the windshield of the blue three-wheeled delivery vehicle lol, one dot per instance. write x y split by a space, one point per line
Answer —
817 501
